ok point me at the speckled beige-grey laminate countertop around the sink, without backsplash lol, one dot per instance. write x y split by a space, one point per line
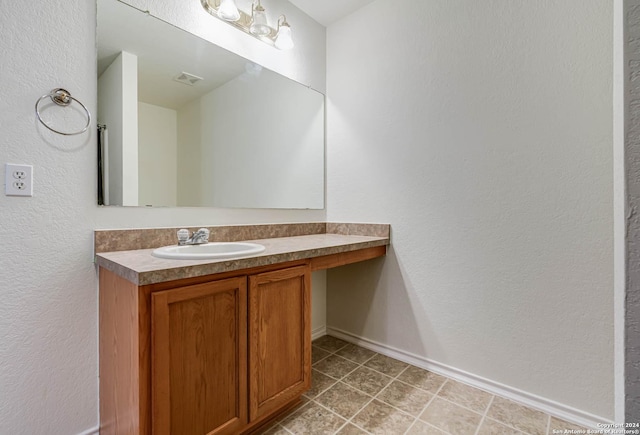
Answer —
141 268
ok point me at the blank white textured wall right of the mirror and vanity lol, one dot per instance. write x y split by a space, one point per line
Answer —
482 132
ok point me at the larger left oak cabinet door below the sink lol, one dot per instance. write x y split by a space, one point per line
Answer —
199 358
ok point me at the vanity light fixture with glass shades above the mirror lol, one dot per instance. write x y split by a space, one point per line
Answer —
255 23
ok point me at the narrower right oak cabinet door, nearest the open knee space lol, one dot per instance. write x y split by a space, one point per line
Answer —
279 338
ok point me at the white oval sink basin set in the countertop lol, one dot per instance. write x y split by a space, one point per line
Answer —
208 251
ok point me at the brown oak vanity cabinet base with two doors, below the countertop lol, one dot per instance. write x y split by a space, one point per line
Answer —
215 355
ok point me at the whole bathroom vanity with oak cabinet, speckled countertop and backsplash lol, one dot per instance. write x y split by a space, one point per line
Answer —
213 346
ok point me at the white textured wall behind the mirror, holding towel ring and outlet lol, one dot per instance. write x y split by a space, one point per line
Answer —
48 317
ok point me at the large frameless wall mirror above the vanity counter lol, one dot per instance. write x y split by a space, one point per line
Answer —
184 122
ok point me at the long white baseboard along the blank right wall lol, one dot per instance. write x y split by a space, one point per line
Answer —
548 406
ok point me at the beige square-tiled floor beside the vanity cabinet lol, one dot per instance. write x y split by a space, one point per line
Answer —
356 391
